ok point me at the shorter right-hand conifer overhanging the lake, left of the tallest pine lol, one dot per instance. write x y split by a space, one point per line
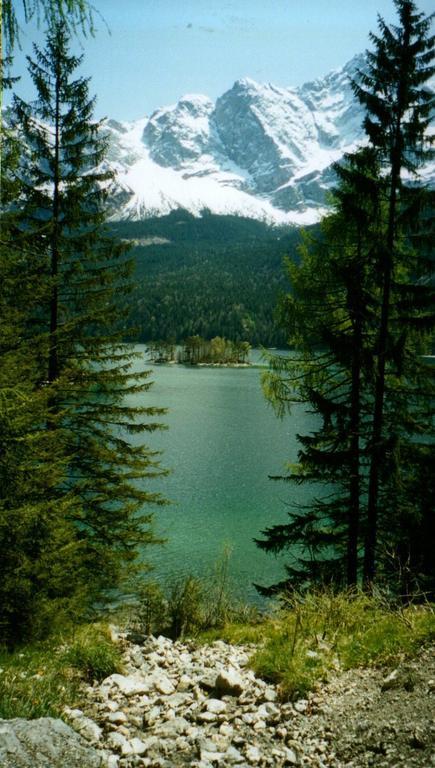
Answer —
330 319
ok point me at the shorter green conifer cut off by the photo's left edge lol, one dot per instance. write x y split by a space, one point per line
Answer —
42 581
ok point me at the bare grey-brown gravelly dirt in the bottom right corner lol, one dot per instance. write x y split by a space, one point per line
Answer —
369 718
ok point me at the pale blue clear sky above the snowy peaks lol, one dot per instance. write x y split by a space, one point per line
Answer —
148 53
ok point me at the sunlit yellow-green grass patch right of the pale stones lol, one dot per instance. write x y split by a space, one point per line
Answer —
299 645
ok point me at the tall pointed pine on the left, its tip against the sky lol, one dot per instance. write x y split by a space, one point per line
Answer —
85 367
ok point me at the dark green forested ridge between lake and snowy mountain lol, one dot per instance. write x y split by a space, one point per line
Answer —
211 276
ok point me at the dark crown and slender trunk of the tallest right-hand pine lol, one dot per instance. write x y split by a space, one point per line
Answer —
398 113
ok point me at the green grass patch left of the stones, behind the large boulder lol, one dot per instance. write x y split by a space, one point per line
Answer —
40 679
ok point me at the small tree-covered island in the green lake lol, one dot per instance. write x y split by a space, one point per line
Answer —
198 351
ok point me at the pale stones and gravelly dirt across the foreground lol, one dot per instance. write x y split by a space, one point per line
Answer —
181 705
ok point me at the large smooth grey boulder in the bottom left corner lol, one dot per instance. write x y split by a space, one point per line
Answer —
44 742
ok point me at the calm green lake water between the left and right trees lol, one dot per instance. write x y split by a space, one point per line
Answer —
222 443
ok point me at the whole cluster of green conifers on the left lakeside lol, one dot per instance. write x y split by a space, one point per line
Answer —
77 369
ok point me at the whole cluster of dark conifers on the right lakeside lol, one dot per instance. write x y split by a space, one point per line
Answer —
359 362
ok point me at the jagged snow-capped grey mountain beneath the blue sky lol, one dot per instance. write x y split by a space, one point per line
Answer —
259 151
